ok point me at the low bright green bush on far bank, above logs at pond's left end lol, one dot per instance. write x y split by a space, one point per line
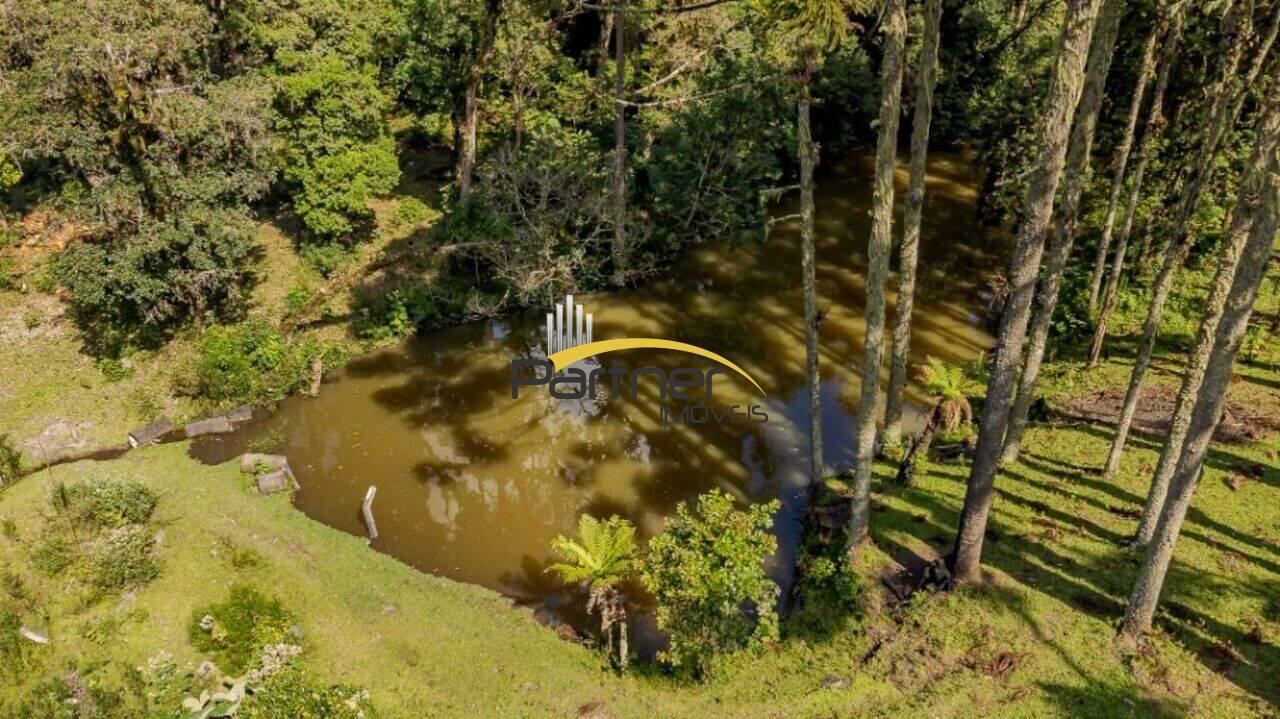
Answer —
253 363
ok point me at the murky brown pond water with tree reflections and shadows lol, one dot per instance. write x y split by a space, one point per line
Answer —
474 486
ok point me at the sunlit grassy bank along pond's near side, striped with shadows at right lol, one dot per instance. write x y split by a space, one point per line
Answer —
1036 642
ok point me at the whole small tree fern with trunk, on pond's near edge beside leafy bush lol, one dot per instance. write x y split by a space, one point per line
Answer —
602 558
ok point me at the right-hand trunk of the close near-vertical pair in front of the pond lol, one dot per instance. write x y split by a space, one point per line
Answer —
909 253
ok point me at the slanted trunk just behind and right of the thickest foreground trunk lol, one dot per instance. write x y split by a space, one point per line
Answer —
1068 214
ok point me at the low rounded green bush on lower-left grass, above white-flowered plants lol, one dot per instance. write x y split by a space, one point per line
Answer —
235 631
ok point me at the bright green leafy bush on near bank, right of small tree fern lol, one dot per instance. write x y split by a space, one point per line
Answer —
707 573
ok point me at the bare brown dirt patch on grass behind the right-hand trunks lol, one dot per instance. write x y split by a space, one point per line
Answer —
1242 422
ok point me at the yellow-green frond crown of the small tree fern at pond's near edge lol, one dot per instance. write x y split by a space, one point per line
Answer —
602 555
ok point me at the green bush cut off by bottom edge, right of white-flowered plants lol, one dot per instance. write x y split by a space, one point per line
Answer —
291 694
